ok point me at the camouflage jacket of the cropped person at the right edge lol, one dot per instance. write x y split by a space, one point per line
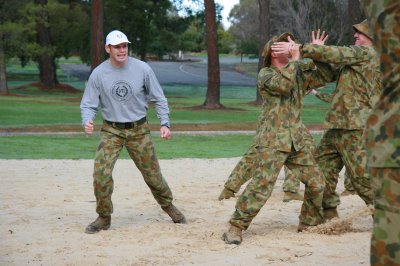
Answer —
383 141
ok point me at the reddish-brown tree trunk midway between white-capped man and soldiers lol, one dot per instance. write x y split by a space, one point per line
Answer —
213 89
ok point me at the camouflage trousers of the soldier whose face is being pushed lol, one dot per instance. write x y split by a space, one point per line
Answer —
268 165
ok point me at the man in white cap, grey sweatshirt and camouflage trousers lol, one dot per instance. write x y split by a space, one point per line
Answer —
122 86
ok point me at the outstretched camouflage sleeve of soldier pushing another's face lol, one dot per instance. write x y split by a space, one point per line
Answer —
341 55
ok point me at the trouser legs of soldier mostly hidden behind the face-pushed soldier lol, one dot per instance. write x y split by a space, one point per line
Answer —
243 172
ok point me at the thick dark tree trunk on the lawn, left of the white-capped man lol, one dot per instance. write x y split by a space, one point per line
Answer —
47 66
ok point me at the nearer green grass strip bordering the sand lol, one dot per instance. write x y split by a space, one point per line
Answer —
82 147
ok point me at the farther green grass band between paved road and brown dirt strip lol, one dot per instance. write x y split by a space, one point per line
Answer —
39 108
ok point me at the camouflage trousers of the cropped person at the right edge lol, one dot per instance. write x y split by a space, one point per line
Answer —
385 242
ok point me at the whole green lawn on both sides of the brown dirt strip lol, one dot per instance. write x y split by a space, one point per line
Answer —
28 108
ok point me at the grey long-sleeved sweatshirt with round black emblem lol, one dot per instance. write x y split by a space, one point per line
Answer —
123 93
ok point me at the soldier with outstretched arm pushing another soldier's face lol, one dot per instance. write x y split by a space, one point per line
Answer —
357 87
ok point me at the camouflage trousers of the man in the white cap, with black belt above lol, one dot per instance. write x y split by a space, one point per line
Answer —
139 145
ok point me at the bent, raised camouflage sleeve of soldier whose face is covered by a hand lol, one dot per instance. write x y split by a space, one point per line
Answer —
277 82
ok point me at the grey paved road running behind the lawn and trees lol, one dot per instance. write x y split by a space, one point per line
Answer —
186 72
